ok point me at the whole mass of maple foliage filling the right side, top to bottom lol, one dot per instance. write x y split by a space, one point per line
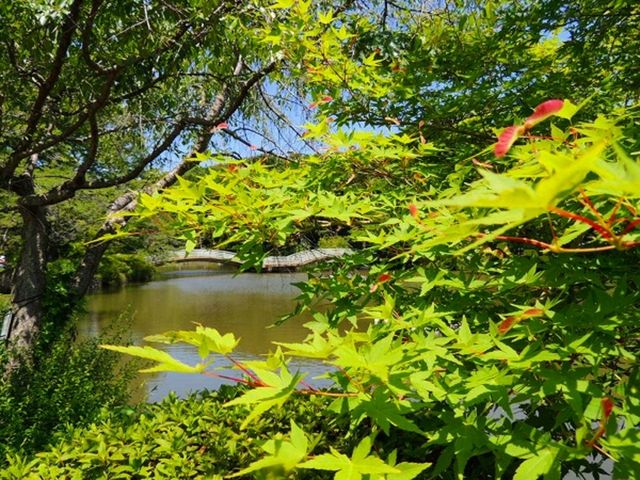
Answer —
498 306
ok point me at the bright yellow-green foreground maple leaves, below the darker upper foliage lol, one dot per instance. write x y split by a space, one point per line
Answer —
507 347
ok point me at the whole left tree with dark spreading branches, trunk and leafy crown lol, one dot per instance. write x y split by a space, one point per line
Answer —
94 93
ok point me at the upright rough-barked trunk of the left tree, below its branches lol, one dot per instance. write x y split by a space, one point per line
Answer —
29 282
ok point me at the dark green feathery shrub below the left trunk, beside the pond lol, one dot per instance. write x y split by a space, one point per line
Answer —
68 385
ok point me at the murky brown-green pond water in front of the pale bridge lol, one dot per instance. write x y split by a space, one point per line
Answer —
246 304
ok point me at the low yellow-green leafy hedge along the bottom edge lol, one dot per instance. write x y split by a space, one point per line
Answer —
178 439
